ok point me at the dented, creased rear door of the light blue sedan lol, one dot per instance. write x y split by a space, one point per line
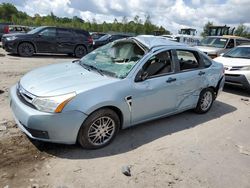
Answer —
190 78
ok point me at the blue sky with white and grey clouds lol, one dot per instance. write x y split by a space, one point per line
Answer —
172 15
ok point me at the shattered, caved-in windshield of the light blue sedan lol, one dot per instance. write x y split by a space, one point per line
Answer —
114 59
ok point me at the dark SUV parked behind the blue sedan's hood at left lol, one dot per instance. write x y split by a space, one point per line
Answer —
49 40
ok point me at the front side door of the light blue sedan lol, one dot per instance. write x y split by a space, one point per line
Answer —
156 95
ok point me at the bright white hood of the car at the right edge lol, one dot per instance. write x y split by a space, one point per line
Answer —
227 61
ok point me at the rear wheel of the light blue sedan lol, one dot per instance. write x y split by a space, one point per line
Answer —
205 101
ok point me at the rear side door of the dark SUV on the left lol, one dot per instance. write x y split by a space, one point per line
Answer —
65 40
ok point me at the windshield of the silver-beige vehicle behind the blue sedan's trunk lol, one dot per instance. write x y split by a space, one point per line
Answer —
214 42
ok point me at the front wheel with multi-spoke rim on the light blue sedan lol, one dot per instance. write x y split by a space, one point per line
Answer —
92 135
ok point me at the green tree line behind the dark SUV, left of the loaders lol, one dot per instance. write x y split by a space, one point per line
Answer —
9 13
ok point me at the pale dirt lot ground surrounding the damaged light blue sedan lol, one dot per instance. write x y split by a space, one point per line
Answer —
185 150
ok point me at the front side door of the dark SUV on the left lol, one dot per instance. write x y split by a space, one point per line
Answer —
45 41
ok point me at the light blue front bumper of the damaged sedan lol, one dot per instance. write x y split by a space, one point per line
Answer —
50 127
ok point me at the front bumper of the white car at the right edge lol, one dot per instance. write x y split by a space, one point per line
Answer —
237 79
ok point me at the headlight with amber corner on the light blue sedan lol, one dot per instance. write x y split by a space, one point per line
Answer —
52 104
